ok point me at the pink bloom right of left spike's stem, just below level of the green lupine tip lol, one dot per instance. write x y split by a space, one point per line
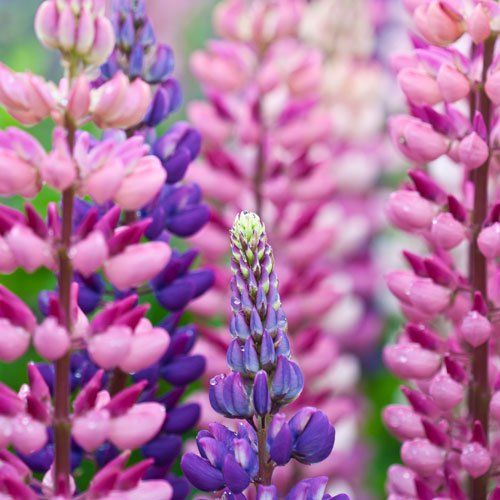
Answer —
137 264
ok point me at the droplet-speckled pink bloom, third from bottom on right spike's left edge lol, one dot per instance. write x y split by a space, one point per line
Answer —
409 360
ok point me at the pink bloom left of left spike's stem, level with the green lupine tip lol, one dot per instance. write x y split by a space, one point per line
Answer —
30 251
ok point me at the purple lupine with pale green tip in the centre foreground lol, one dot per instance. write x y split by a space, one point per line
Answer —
263 379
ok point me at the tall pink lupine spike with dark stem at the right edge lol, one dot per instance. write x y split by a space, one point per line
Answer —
448 352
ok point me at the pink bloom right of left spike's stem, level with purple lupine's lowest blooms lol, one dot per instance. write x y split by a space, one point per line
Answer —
136 427
